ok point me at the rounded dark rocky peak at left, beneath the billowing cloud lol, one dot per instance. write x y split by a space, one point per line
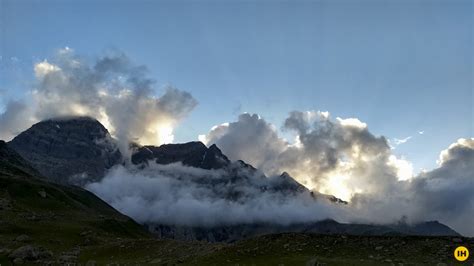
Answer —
72 150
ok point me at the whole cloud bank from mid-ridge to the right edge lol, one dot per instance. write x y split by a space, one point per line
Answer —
341 157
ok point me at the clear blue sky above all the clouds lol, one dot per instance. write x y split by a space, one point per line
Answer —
399 66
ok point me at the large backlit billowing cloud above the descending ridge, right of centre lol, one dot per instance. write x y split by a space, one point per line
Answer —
325 155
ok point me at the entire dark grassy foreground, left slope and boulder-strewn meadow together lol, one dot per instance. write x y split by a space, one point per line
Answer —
46 223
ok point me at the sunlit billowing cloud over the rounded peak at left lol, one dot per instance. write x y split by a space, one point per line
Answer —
111 89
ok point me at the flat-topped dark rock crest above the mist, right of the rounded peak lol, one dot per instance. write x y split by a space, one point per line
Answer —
194 154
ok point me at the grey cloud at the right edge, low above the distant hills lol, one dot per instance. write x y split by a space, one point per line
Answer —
443 194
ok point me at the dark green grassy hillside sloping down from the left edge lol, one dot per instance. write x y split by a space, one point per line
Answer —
44 222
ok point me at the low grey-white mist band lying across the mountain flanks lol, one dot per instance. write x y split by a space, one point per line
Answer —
178 195
